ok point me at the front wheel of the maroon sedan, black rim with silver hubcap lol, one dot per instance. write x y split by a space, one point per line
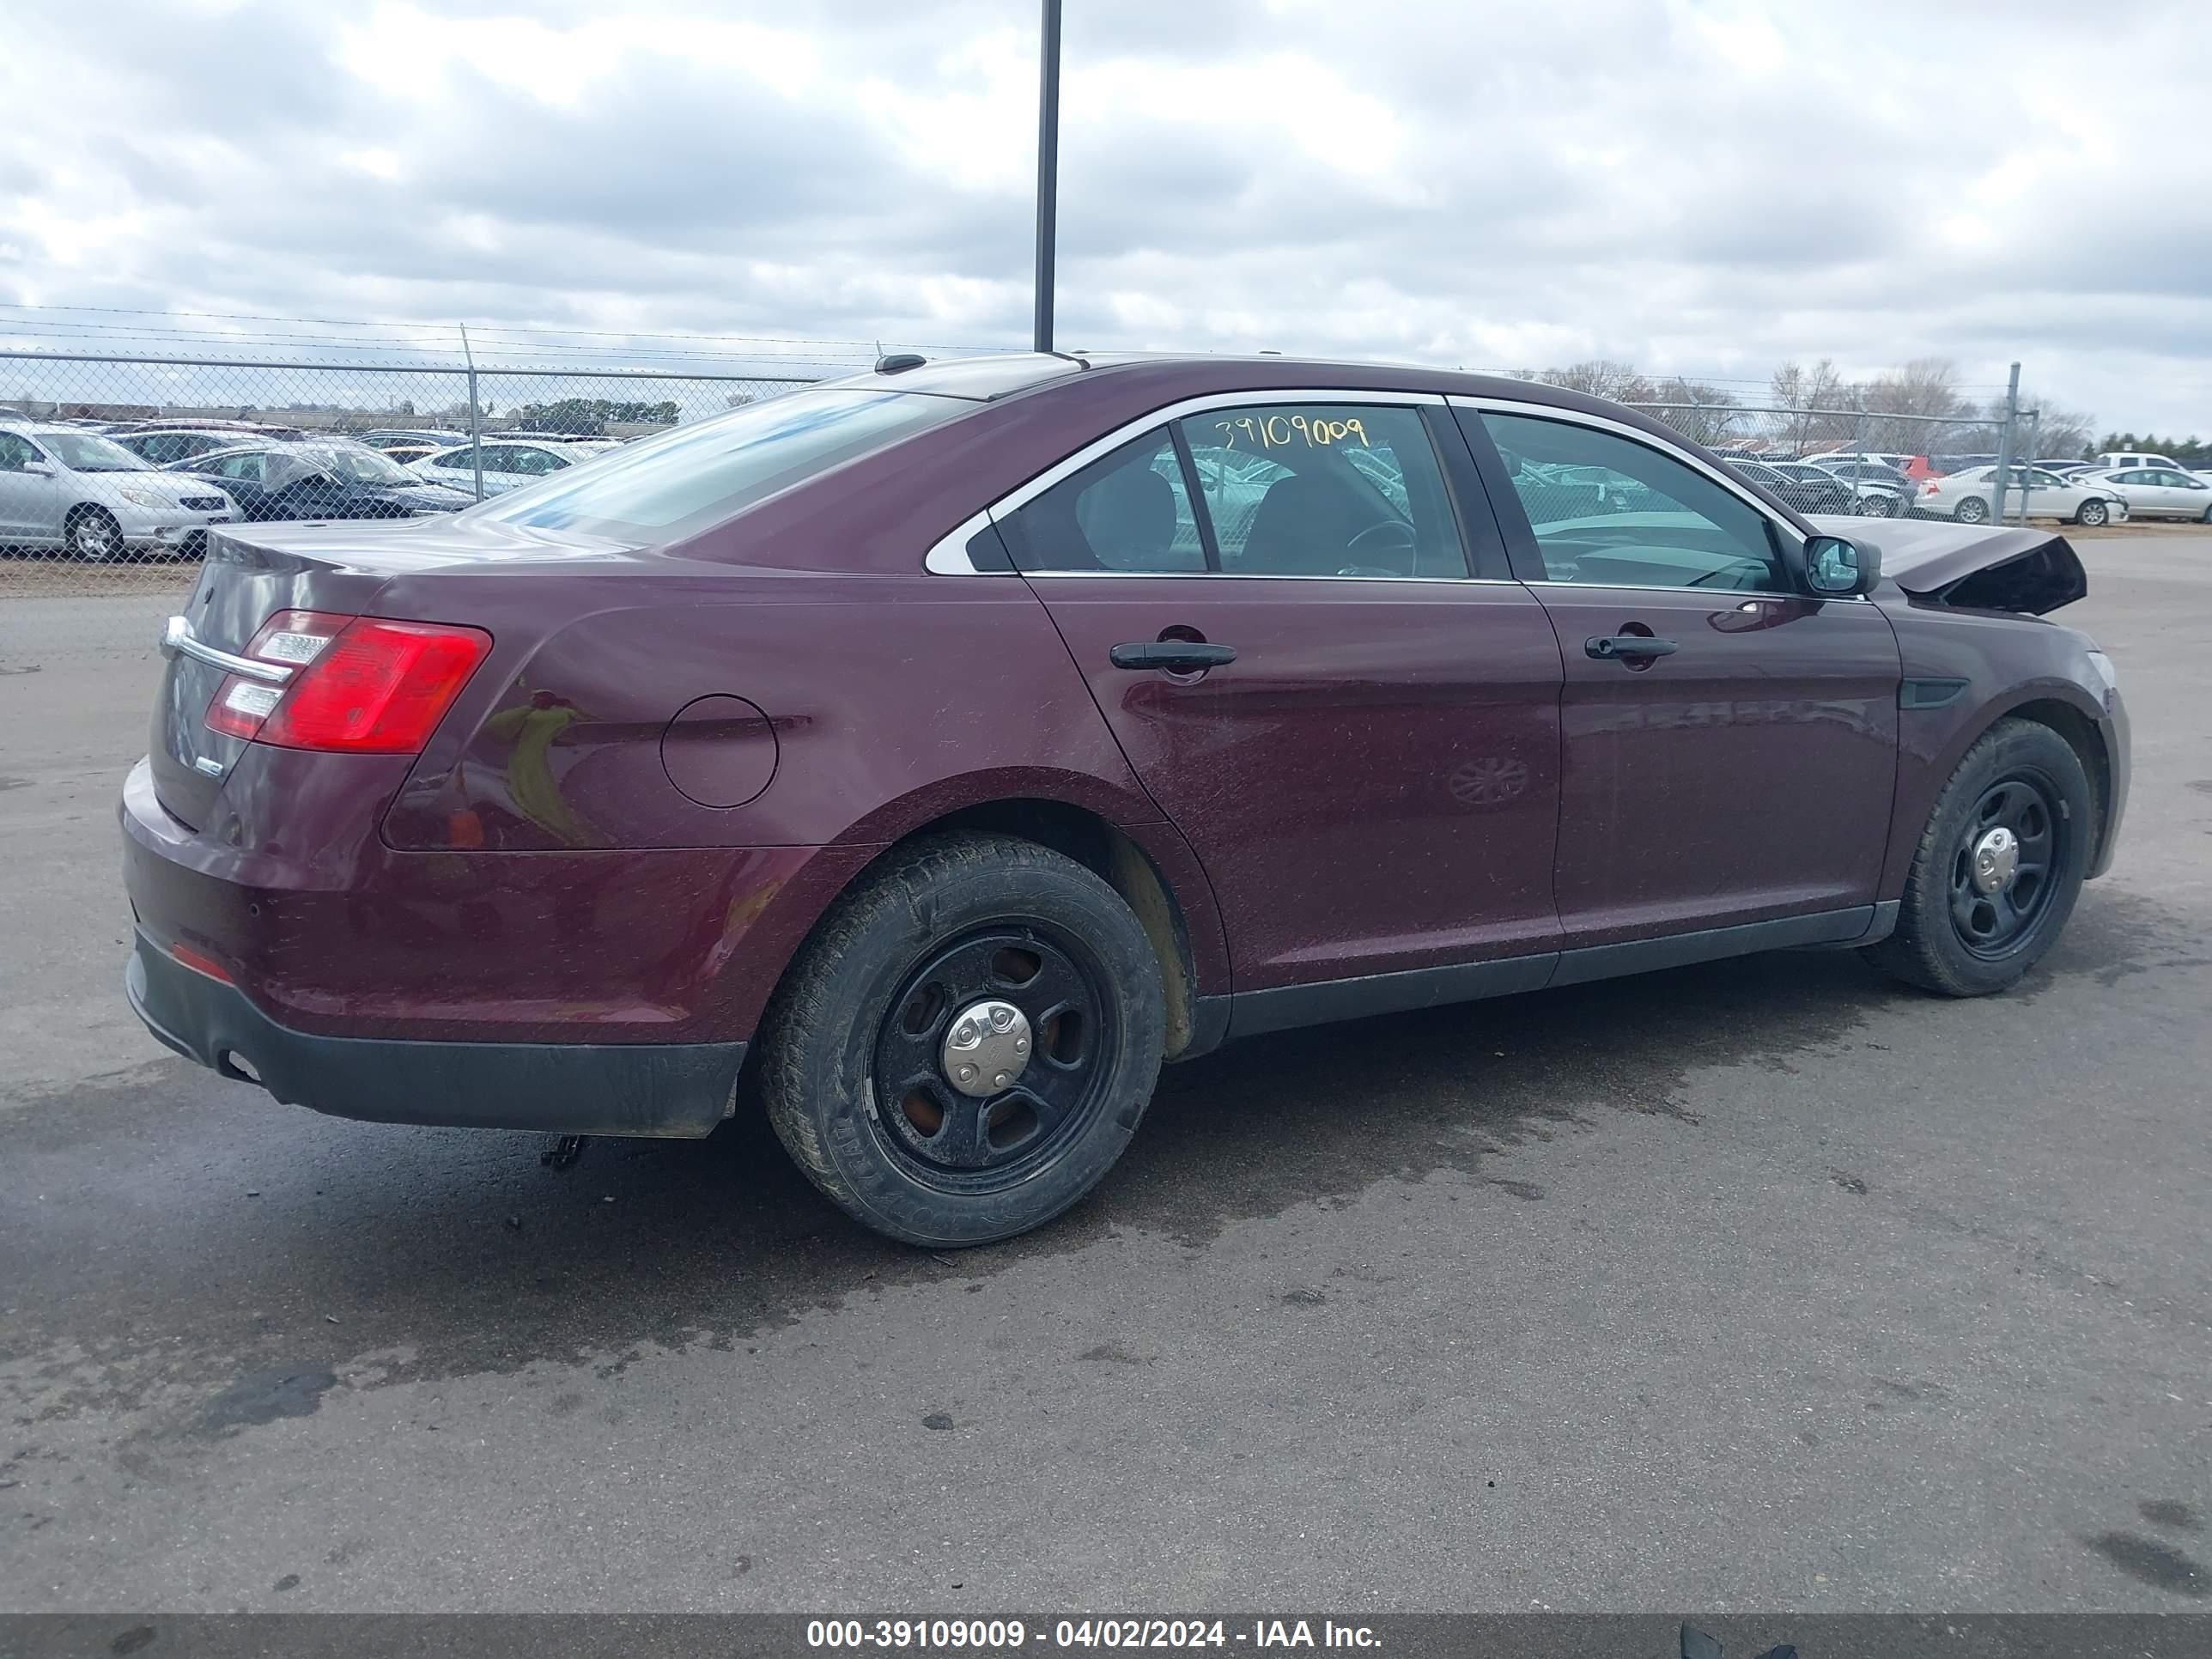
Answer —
1961 937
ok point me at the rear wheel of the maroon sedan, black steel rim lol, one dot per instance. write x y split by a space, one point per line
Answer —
857 1070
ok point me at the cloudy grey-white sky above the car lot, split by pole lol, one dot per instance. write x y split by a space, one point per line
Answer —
1700 187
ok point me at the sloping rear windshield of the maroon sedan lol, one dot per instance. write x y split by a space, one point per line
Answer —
711 470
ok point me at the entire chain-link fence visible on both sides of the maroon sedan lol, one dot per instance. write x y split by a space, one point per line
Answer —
114 468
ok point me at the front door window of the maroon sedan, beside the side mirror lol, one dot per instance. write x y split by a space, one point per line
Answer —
1616 512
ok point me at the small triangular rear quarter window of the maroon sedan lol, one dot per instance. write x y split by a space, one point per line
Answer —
1125 512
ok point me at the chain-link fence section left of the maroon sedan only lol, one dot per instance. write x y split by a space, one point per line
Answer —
114 468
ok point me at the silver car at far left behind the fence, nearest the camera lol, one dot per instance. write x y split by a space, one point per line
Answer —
85 494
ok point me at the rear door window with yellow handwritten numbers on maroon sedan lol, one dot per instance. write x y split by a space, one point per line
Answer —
1324 490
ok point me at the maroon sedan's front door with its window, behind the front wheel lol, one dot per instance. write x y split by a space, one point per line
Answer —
1731 747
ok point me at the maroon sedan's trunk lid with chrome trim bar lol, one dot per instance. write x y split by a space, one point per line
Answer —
260 570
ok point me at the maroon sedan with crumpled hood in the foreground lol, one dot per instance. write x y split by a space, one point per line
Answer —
935 753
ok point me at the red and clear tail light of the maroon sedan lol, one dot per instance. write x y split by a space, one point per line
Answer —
359 685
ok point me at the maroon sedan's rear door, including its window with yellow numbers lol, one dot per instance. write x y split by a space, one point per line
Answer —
1373 775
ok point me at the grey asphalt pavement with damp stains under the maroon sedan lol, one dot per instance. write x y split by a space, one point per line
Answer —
1746 1286
